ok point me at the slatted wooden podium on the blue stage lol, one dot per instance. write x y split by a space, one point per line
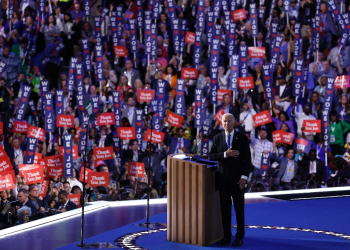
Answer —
193 211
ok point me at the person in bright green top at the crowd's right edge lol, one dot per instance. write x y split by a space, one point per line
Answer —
337 128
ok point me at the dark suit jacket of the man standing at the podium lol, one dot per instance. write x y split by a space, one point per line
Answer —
234 167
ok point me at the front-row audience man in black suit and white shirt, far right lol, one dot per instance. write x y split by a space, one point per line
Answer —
312 168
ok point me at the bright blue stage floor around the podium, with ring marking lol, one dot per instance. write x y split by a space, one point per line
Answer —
305 224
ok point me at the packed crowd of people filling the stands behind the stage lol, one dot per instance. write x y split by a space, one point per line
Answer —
65 22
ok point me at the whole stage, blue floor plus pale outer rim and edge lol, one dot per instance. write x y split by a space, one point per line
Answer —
271 223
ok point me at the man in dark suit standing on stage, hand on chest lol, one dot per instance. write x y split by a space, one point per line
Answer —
231 150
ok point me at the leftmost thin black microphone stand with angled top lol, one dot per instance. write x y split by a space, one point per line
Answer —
87 126
